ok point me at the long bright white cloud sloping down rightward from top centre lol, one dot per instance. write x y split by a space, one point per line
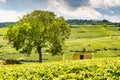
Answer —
80 12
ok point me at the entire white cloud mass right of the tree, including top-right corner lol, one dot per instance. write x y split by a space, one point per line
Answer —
85 12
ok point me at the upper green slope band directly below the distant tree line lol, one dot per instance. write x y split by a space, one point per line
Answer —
92 31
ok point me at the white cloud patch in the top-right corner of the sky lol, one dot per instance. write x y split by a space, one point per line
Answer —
104 3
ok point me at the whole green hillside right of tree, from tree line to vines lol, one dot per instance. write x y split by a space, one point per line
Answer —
103 41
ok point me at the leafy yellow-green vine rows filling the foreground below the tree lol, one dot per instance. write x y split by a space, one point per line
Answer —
93 69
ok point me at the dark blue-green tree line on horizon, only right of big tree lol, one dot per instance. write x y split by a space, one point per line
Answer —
92 22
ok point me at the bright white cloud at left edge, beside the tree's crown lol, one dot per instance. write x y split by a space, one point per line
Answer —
9 15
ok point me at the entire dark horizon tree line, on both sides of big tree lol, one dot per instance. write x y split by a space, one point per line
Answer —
78 22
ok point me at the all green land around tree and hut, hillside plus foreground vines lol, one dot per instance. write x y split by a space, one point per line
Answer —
102 41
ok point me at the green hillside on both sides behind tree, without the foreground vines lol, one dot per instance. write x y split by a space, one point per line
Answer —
103 41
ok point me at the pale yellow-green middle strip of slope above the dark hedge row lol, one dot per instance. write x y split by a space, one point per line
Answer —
101 42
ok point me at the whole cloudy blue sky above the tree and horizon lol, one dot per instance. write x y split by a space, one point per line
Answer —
13 10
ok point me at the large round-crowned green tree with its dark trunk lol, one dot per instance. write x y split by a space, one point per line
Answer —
37 30
